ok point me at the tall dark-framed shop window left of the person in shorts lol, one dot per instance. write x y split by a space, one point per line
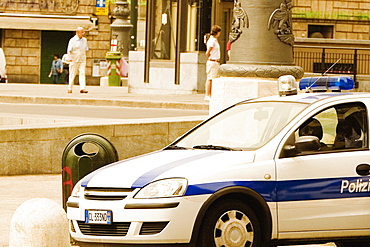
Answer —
173 27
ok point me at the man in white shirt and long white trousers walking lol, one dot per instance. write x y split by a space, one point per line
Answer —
76 50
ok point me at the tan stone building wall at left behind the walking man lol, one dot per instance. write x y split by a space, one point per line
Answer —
32 31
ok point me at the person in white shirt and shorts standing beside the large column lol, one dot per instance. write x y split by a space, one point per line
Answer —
213 62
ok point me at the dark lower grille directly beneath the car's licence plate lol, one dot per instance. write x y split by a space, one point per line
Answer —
117 229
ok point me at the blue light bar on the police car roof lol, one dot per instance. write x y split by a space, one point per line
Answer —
324 83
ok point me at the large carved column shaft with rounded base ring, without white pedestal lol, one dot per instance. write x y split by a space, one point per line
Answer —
262 40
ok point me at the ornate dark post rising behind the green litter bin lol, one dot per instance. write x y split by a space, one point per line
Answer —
121 27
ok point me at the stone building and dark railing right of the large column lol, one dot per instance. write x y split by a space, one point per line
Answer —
334 37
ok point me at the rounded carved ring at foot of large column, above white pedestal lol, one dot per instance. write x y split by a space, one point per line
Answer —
263 71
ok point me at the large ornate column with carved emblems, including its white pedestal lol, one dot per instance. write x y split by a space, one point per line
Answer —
261 51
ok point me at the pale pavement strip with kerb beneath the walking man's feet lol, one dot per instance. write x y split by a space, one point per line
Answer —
99 96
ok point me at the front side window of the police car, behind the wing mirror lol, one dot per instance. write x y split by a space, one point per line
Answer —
337 128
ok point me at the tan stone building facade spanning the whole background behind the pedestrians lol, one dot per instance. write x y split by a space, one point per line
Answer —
168 35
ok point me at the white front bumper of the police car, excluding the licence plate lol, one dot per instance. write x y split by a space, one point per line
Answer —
137 221
